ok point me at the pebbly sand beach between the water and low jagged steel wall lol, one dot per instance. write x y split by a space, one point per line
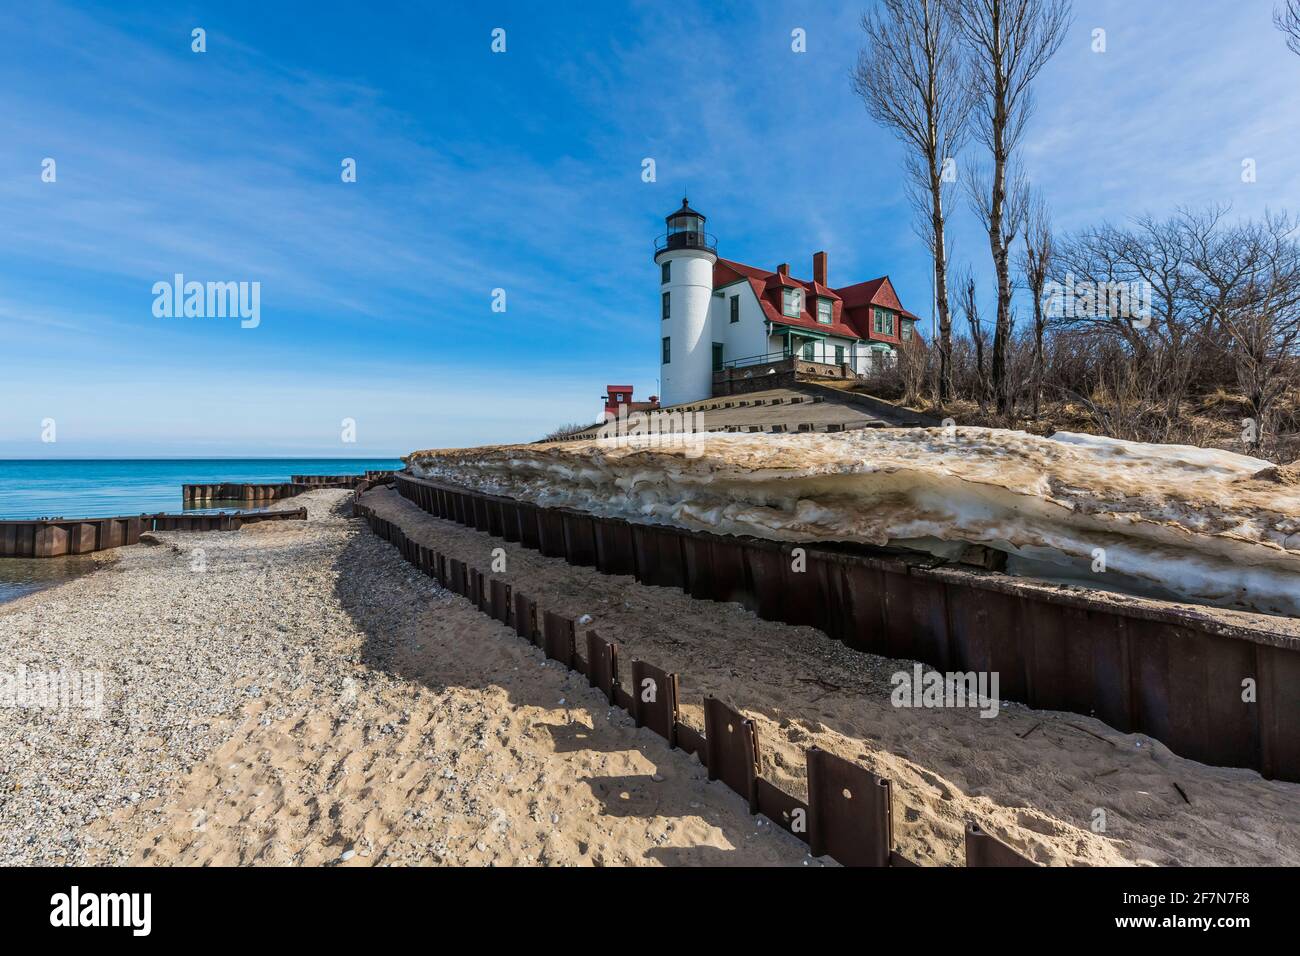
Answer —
310 699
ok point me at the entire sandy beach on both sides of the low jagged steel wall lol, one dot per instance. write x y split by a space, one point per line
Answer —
310 699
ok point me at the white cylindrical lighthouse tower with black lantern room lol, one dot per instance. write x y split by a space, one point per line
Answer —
686 257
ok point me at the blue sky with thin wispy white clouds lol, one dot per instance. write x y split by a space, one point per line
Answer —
519 171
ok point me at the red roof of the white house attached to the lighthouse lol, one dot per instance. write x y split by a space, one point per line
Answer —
851 314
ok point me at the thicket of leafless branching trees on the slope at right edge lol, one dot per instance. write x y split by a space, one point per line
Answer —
1219 302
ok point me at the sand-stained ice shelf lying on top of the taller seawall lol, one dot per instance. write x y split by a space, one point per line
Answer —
1172 521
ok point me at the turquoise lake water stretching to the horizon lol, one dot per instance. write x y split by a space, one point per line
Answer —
102 488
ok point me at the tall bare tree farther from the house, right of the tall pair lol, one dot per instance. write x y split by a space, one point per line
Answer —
1009 42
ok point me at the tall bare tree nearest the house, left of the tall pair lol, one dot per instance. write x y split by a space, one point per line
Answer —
911 77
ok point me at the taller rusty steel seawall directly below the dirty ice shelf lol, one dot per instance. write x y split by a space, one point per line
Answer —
1162 672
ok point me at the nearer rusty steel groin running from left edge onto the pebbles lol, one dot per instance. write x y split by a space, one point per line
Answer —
59 538
